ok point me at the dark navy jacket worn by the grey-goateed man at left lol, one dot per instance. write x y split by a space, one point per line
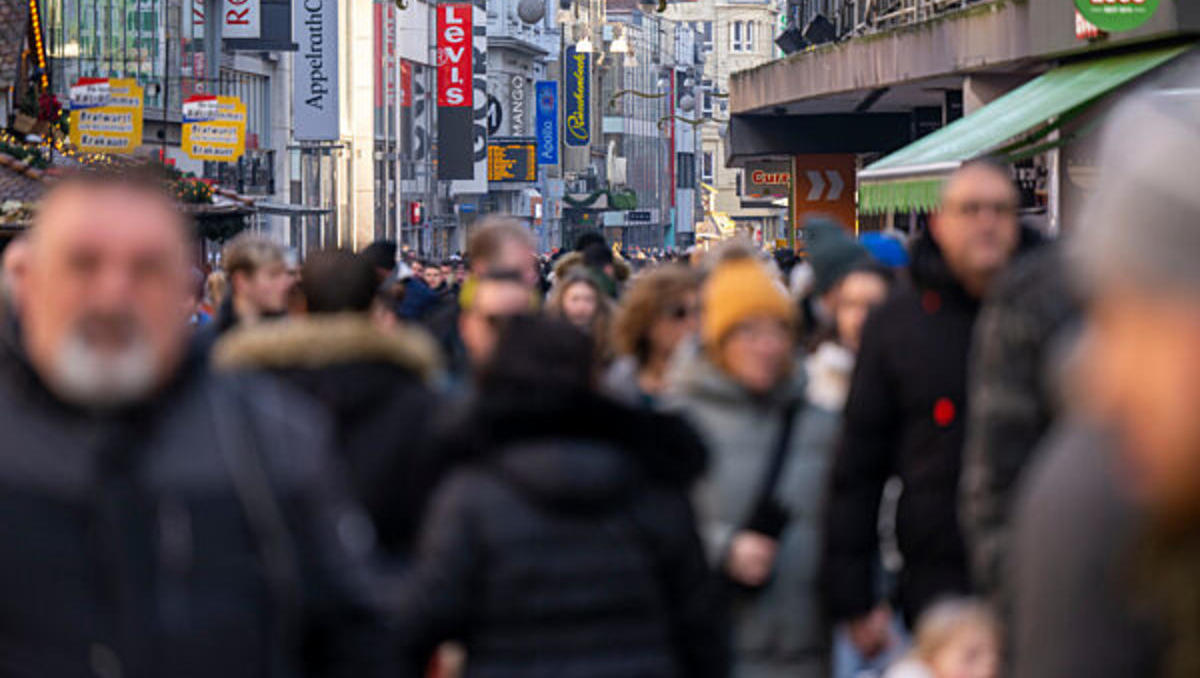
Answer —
199 536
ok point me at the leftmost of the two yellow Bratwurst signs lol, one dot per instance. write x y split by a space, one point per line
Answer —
106 116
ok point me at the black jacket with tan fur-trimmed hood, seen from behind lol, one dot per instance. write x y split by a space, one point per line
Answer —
374 386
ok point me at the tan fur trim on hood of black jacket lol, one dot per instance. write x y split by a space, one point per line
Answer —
319 341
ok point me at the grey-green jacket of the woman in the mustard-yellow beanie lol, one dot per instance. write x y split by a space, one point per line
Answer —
783 625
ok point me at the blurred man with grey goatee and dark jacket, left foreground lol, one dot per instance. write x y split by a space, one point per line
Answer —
161 523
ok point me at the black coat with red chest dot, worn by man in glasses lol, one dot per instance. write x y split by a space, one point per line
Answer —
905 417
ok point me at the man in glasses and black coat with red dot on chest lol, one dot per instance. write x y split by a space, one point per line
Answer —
907 410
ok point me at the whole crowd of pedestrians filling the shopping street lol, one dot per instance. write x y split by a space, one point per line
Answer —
967 455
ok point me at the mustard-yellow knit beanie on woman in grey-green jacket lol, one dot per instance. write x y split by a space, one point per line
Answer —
740 290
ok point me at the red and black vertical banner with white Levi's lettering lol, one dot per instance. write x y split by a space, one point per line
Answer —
455 92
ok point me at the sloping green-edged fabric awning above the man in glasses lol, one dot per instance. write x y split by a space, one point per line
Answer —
911 178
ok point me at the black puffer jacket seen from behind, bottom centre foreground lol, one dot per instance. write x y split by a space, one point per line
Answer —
565 547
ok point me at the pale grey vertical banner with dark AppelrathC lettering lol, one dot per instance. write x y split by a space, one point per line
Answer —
315 76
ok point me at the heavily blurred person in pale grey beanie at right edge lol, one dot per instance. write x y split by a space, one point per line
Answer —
1109 529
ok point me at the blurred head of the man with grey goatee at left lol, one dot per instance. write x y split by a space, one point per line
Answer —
105 297
